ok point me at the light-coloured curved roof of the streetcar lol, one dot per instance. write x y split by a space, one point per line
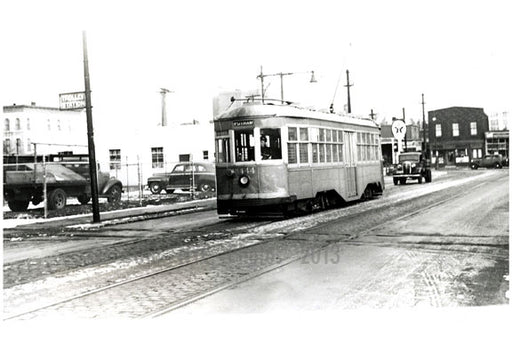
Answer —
253 110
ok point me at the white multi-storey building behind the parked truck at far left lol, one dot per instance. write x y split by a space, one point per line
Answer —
51 129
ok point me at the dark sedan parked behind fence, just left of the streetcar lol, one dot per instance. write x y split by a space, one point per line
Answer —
186 176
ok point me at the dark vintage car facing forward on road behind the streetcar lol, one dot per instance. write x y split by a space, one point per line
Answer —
411 165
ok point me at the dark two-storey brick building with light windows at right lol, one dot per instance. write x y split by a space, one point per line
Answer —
457 135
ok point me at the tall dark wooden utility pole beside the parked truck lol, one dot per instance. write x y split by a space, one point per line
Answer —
90 136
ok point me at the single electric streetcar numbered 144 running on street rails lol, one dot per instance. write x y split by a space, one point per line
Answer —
278 158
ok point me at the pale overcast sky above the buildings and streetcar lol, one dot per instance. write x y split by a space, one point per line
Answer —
458 53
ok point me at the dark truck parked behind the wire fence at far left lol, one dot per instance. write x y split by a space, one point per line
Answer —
63 177
